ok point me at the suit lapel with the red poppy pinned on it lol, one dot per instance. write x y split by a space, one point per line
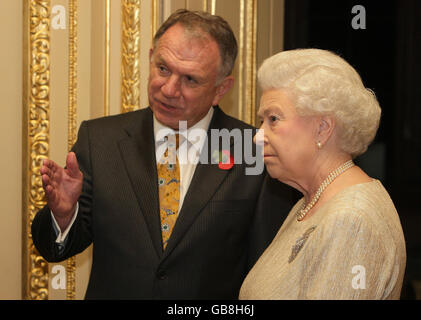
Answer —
205 182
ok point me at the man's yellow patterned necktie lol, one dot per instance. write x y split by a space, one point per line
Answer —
169 188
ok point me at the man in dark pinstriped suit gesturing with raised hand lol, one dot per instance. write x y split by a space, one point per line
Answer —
108 194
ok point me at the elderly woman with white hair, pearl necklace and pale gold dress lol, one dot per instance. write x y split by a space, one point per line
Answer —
343 239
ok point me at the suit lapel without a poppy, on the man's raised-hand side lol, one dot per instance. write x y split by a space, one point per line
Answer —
138 153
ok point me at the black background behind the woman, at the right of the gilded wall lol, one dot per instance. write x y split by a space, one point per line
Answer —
387 54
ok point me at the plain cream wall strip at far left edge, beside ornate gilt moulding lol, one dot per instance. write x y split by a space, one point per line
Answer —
11 145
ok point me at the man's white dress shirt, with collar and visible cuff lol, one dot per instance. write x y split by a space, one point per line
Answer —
188 153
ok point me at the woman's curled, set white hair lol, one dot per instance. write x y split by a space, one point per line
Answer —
322 83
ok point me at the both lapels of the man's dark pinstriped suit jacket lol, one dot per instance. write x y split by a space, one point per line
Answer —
138 154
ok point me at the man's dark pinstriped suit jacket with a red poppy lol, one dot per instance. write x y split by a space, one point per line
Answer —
226 221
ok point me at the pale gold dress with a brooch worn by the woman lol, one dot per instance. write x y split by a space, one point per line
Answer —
351 248
